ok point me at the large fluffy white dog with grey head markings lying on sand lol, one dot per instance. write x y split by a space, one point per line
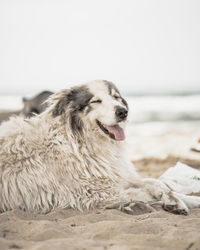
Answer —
73 156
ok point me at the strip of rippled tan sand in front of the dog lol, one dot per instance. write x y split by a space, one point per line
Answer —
110 229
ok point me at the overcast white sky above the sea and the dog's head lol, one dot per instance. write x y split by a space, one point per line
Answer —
142 45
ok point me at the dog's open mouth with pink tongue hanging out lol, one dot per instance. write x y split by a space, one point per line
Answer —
115 131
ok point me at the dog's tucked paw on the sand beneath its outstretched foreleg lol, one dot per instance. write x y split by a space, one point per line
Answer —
133 207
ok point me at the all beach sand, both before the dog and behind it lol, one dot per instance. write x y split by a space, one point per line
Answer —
112 229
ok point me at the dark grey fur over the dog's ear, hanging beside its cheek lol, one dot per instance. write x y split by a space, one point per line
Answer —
77 98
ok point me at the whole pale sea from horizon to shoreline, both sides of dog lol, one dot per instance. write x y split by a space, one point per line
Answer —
148 114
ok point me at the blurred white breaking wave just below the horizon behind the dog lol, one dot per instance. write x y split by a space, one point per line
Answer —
141 108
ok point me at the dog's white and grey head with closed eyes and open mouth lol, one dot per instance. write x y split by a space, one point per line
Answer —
96 105
